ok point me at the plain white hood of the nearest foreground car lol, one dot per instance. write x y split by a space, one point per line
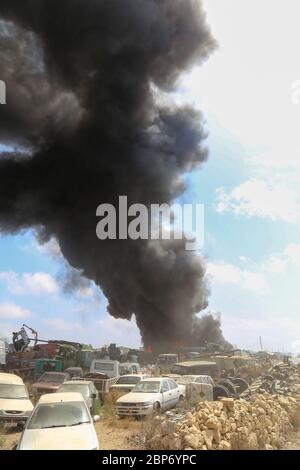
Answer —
81 437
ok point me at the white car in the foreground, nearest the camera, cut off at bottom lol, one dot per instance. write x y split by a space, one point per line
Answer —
60 421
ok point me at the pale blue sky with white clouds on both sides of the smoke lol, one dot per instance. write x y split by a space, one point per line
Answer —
249 186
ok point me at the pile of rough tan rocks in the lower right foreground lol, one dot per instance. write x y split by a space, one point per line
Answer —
260 423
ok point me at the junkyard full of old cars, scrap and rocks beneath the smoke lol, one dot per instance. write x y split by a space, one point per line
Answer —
189 400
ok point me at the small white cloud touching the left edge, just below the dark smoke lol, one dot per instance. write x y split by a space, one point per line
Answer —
29 283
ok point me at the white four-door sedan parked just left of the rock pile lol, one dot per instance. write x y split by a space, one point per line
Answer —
149 396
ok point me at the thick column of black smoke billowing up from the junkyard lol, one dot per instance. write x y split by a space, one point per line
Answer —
80 78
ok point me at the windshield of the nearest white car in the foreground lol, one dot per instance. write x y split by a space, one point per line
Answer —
58 415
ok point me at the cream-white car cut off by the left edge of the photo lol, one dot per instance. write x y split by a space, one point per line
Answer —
15 405
